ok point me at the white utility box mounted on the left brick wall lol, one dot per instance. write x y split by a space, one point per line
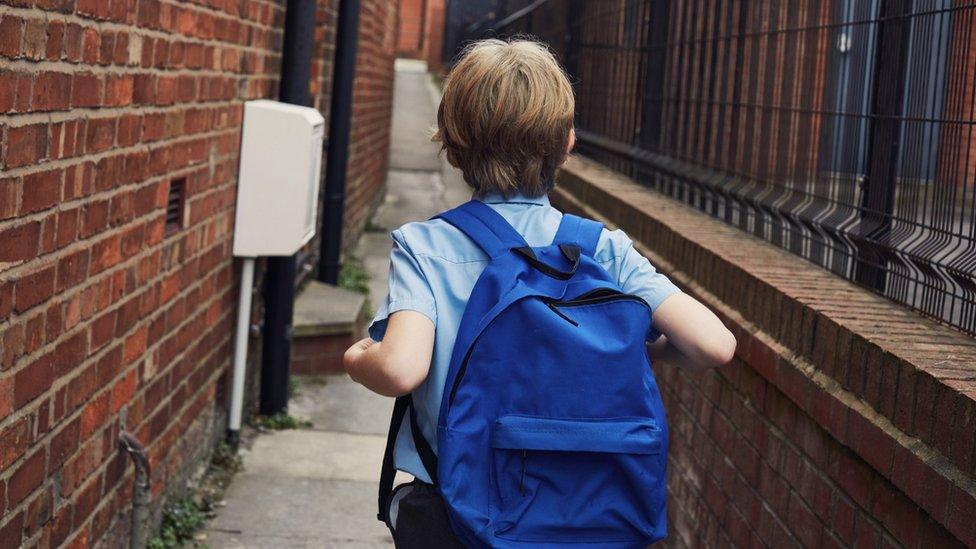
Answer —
278 181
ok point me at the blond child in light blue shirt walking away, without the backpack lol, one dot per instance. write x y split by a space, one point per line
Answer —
506 122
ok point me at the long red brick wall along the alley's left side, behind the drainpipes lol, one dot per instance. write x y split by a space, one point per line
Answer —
110 319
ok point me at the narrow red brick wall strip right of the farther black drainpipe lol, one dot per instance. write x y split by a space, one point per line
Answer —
372 108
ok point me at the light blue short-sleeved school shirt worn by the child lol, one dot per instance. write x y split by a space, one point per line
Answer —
433 268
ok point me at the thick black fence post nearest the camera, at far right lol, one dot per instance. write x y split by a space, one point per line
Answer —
887 98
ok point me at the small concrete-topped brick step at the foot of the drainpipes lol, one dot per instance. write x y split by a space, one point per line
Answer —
326 321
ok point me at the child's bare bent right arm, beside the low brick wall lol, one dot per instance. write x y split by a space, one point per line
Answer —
693 336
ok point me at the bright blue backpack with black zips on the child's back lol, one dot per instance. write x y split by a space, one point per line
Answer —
551 429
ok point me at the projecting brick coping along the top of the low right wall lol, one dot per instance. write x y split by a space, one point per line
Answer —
895 387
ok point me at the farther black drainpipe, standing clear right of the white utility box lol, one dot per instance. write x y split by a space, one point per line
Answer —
338 148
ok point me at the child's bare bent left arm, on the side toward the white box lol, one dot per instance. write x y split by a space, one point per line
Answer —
398 364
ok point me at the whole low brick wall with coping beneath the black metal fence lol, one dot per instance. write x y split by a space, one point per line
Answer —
843 420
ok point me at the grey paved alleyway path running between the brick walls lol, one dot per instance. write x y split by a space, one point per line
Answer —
317 487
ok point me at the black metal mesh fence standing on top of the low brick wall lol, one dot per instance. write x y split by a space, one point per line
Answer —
841 130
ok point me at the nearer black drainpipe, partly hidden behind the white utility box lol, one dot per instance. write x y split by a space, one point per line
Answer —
279 289
